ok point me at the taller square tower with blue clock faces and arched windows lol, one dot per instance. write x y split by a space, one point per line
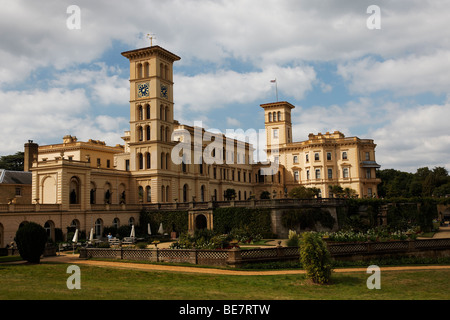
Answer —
151 110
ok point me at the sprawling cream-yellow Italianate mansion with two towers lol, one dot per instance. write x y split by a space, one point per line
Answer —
88 184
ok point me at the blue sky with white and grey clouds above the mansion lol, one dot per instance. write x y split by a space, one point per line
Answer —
389 84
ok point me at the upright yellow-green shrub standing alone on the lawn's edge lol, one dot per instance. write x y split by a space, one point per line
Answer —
315 258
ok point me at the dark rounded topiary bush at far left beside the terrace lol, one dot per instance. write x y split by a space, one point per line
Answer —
31 239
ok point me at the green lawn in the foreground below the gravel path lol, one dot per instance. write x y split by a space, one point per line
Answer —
47 281
